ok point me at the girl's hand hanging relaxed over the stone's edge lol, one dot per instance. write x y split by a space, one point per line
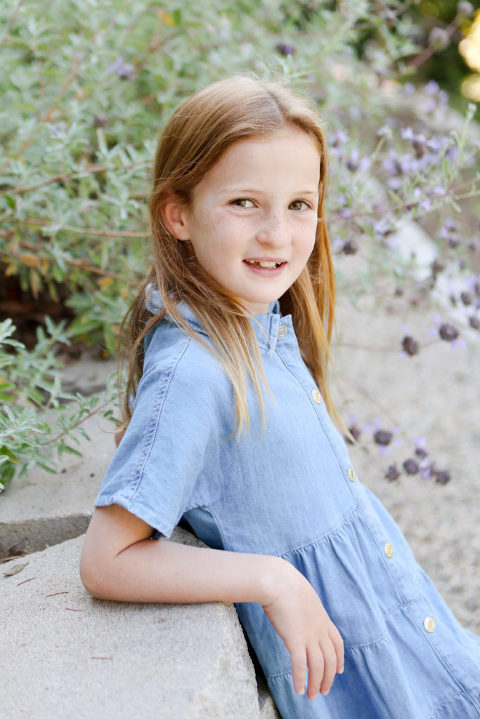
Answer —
311 638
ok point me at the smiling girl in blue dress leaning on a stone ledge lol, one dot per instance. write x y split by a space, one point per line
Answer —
231 431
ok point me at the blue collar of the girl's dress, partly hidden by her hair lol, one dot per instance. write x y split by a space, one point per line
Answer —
268 327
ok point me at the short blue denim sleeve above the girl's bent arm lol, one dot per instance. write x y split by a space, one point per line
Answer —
171 441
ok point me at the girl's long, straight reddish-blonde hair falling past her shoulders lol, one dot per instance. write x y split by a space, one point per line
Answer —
196 136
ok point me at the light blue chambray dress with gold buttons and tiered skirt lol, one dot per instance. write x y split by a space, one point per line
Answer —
292 492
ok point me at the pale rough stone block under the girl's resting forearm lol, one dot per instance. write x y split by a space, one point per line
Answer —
72 656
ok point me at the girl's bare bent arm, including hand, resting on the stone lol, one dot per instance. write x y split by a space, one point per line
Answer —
120 562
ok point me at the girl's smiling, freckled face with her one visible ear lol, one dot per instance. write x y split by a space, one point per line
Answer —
252 219
